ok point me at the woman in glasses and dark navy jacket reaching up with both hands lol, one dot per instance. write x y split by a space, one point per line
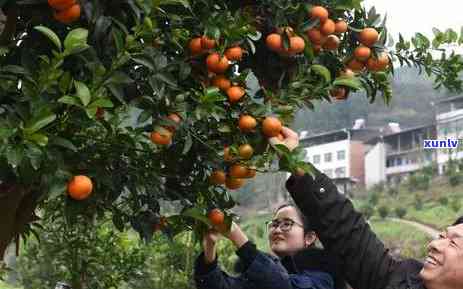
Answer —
295 264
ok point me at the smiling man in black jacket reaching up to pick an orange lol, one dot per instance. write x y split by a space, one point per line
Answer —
367 264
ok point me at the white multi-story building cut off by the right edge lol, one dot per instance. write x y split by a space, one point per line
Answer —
449 125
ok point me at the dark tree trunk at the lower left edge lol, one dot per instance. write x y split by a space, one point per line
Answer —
17 206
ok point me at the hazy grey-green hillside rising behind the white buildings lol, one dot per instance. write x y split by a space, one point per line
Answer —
410 106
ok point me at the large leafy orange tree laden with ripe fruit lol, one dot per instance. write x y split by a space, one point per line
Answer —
115 105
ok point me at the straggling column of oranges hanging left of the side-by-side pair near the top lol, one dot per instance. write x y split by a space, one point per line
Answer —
219 64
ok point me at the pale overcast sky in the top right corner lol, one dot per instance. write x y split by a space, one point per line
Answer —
410 16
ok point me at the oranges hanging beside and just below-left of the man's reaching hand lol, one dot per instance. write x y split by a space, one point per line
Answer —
238 172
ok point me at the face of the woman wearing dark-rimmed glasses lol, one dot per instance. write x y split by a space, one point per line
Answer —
286 233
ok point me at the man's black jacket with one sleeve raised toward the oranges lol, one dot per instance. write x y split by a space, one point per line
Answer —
367 264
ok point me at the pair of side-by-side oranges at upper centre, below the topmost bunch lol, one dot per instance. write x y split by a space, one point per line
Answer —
296 43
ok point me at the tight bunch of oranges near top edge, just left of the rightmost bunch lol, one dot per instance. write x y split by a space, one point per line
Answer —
326 34
